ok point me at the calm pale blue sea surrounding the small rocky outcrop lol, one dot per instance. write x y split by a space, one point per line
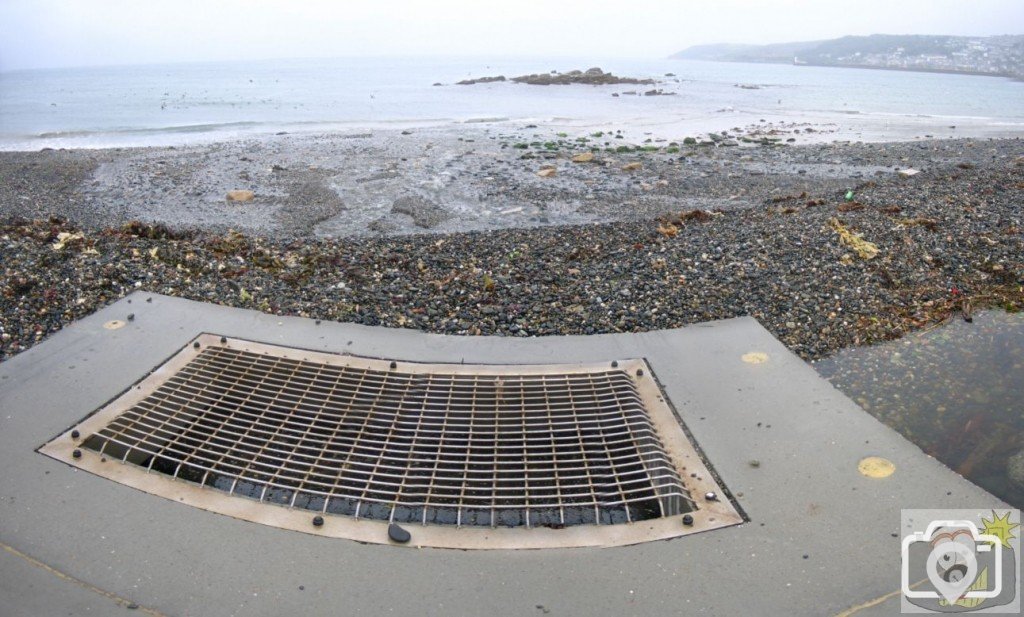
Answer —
196 103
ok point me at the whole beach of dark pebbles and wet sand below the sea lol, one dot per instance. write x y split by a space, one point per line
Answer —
468 232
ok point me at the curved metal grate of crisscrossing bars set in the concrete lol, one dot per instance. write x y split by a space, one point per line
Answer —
440 446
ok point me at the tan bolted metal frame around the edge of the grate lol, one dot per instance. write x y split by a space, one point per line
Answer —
684 459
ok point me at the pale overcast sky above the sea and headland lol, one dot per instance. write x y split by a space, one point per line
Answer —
70 33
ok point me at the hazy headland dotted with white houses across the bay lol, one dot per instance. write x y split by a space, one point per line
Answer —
1002 56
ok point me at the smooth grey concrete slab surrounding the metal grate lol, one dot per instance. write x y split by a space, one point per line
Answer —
821 537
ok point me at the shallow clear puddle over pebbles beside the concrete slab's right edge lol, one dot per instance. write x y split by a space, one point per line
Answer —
958 392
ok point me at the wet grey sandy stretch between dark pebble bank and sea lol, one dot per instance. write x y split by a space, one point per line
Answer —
444 181
